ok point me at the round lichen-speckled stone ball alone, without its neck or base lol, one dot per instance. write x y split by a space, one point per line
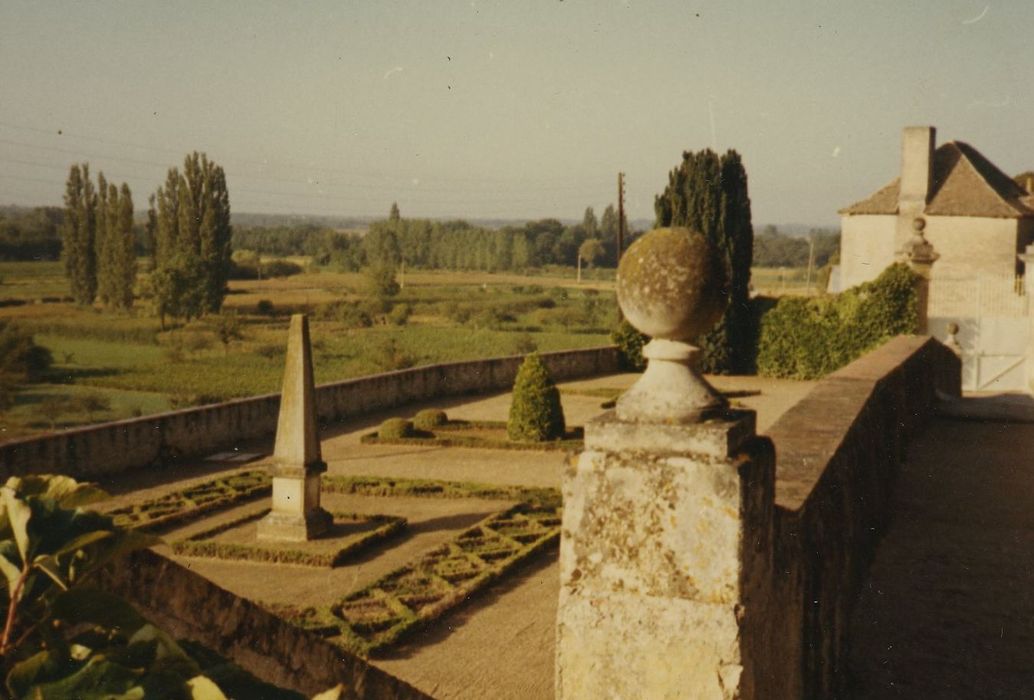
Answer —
672 286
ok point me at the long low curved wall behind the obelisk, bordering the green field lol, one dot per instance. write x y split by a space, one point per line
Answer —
111 448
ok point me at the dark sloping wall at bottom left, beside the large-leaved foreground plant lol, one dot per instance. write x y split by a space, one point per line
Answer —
189 606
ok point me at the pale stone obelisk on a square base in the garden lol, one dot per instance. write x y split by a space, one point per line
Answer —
297 460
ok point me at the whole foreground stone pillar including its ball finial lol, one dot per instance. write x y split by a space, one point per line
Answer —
666 541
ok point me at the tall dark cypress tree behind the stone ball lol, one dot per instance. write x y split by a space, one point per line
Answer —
710 195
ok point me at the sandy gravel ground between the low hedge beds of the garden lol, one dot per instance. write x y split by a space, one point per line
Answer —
501 646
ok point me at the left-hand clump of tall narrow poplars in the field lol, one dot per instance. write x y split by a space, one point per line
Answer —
99 242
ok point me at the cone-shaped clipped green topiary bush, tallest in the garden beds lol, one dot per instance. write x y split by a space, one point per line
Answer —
536 414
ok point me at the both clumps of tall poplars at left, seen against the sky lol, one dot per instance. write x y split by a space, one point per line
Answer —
188 229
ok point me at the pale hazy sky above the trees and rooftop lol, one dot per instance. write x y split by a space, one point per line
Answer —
511 109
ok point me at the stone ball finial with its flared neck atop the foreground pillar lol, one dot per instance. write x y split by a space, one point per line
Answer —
672 287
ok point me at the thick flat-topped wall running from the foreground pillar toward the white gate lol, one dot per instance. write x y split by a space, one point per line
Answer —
838 454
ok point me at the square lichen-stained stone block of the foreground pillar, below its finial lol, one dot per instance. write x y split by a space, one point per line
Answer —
663 560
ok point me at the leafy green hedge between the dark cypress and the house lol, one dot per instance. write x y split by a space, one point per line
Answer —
807 339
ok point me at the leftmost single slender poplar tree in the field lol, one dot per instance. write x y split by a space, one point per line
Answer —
78 240
